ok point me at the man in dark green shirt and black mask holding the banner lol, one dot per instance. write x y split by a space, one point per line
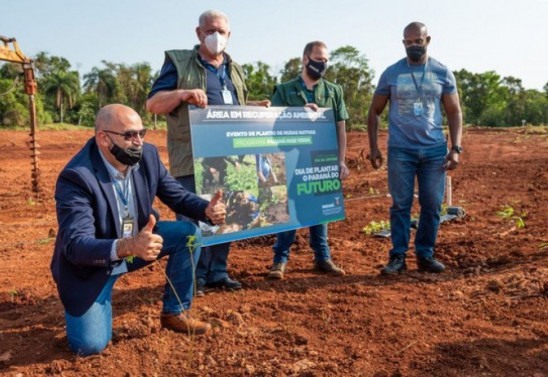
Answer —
311 90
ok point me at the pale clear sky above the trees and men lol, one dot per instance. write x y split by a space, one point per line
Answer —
506 36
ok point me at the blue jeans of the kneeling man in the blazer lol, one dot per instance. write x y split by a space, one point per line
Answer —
90 333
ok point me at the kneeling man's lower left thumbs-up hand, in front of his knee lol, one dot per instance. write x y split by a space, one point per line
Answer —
145 245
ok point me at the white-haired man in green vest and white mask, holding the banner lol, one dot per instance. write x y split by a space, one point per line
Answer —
205 75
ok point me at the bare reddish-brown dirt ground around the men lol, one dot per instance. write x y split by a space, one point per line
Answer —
486 316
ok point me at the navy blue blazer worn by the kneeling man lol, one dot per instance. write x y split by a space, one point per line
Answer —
88 219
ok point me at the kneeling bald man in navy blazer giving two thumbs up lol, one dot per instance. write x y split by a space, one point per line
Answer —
107 227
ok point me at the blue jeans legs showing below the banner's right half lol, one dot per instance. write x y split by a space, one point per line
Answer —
318 243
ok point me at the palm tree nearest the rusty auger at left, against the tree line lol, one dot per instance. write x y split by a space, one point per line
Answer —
65 86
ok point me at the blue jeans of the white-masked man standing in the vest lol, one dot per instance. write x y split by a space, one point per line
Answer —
213 264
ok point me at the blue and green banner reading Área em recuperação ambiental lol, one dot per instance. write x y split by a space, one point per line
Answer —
278 168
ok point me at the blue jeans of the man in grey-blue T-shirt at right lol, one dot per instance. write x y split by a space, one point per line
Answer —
427 164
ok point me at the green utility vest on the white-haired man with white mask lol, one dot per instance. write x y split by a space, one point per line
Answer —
191 74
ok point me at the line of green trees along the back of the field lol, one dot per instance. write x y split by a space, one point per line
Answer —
487 99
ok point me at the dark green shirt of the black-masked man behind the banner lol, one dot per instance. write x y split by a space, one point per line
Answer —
326 94
